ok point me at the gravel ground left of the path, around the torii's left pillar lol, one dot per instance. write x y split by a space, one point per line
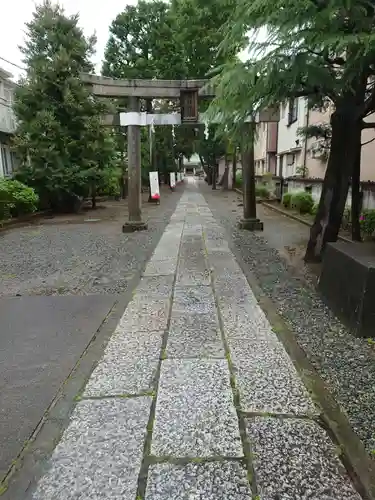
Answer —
70 256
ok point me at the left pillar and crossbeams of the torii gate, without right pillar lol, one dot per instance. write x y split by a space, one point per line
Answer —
186 90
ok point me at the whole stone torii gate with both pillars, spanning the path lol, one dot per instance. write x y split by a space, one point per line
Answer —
188 91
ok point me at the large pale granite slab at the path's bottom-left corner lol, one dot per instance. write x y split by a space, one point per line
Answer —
100 453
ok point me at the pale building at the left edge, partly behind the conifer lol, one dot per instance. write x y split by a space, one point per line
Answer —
7 124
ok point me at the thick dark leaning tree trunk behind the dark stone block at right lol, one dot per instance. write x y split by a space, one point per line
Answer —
335 186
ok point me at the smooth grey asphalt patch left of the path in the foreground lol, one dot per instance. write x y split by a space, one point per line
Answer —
41 339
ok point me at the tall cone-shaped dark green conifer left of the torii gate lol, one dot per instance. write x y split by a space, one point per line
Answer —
63 147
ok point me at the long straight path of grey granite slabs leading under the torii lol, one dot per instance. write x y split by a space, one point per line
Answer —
195 398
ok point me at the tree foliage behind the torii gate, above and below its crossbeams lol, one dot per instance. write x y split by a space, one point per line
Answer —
169 41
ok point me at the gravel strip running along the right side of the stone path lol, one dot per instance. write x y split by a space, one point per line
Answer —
344 362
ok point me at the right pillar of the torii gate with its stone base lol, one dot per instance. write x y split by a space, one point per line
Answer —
249 220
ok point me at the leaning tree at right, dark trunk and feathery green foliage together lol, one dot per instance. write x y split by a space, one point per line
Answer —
314 48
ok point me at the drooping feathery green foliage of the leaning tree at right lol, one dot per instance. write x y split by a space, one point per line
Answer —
312 48
